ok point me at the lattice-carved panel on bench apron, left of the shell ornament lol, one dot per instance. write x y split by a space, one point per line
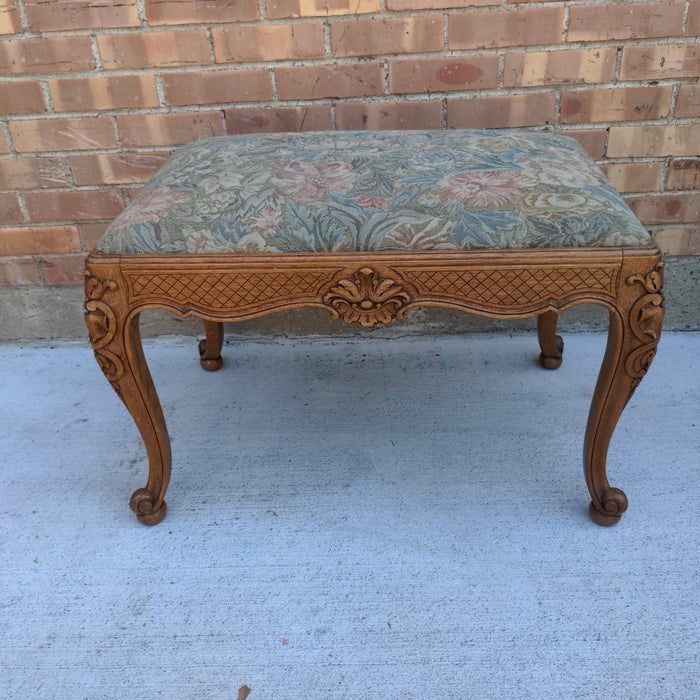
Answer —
220 290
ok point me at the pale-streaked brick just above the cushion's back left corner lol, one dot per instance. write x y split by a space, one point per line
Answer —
167 129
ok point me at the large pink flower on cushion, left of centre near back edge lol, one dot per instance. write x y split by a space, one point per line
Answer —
308 182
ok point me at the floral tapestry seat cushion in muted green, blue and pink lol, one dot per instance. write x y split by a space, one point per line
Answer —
367 191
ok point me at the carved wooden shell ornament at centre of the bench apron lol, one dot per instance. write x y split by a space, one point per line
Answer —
367 299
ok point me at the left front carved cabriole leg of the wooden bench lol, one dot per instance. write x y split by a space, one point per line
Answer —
116 341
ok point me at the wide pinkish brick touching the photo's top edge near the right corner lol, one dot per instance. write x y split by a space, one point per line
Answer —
625 20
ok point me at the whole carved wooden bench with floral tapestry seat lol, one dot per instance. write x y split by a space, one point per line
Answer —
506 224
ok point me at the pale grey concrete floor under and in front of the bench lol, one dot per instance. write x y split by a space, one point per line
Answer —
403 518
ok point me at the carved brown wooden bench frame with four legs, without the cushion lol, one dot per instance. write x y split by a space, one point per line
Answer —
371 288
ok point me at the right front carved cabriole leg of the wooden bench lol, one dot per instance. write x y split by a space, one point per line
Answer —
633 335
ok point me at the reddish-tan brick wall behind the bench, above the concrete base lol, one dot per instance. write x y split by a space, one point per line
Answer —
95 94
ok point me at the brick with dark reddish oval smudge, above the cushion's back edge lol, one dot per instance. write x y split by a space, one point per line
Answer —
443 74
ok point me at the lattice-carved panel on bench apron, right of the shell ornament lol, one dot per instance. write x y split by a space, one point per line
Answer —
506 287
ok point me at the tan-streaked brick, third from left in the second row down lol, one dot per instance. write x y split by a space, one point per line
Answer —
268 43
